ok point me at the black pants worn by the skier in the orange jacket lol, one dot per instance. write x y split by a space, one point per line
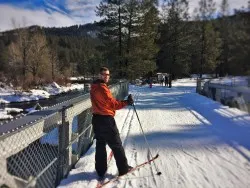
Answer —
106 132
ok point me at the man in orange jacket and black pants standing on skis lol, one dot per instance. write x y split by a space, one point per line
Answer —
104 125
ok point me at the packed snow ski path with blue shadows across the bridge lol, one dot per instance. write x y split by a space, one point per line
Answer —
200 142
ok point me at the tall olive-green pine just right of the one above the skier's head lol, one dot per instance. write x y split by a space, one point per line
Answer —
142 33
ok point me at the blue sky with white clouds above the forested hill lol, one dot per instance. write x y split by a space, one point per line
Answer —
58 13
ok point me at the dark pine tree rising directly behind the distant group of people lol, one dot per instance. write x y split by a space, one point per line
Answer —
175 39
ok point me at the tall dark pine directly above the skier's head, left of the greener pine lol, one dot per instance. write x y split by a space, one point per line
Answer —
111 33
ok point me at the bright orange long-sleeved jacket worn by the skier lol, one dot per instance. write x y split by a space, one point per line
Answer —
102 100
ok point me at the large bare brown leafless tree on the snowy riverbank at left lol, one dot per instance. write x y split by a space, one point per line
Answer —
29 57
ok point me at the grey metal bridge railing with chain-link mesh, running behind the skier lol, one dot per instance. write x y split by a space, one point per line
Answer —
41 153
